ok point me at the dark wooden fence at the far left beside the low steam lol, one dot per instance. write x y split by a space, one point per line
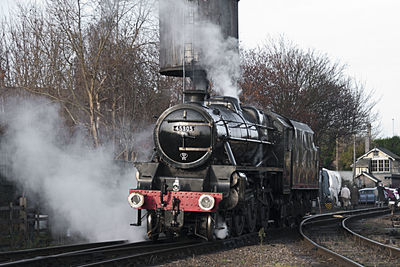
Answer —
21 227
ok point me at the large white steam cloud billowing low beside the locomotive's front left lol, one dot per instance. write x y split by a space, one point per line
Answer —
85 191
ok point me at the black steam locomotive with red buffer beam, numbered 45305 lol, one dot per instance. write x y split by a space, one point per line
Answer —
218 162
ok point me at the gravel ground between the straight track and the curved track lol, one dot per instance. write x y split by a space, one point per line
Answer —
285 251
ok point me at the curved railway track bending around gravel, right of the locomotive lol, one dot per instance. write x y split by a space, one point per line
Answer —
331 236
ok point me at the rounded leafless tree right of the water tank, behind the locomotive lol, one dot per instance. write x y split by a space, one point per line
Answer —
306 86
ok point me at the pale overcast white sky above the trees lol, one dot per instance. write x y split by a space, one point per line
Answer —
362 34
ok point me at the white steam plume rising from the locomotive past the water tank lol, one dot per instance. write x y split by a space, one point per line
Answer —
219 56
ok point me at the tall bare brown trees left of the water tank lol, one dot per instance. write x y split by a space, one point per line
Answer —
98 58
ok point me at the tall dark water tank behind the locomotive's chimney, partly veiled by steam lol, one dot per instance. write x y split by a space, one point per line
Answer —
182 24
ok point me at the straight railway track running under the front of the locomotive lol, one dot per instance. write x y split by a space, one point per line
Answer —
123 254
